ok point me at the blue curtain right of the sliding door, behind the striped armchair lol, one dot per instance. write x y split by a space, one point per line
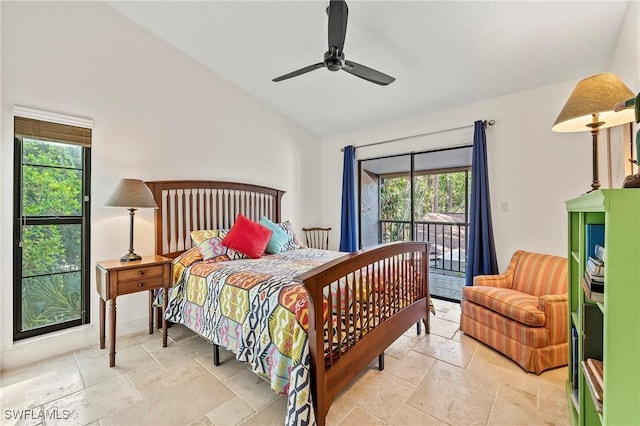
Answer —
481 250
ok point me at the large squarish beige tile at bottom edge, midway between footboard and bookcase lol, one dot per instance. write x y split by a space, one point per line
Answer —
455 395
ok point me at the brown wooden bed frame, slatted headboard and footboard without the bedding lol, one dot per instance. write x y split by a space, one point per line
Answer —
400 300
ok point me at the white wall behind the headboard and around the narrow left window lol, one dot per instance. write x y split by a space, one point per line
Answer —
158 115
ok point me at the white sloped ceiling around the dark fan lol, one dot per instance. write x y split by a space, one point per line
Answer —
442 53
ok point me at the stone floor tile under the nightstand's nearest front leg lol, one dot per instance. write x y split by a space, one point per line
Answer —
95 369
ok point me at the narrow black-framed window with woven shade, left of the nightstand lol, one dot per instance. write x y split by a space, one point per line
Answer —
51 226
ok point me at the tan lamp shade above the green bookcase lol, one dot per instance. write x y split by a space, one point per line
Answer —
594 95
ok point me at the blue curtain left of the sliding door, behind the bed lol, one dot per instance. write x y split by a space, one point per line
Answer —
349 224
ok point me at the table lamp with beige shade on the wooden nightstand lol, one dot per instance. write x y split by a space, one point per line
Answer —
132 194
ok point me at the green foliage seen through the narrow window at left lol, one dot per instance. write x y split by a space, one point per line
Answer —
51 253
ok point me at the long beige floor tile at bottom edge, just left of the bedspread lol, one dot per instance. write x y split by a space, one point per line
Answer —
180 403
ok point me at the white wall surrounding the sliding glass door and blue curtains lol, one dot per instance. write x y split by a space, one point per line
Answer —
532 168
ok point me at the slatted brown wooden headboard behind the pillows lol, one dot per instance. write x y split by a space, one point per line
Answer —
188 205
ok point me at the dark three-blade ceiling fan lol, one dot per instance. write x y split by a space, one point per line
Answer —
334 58
